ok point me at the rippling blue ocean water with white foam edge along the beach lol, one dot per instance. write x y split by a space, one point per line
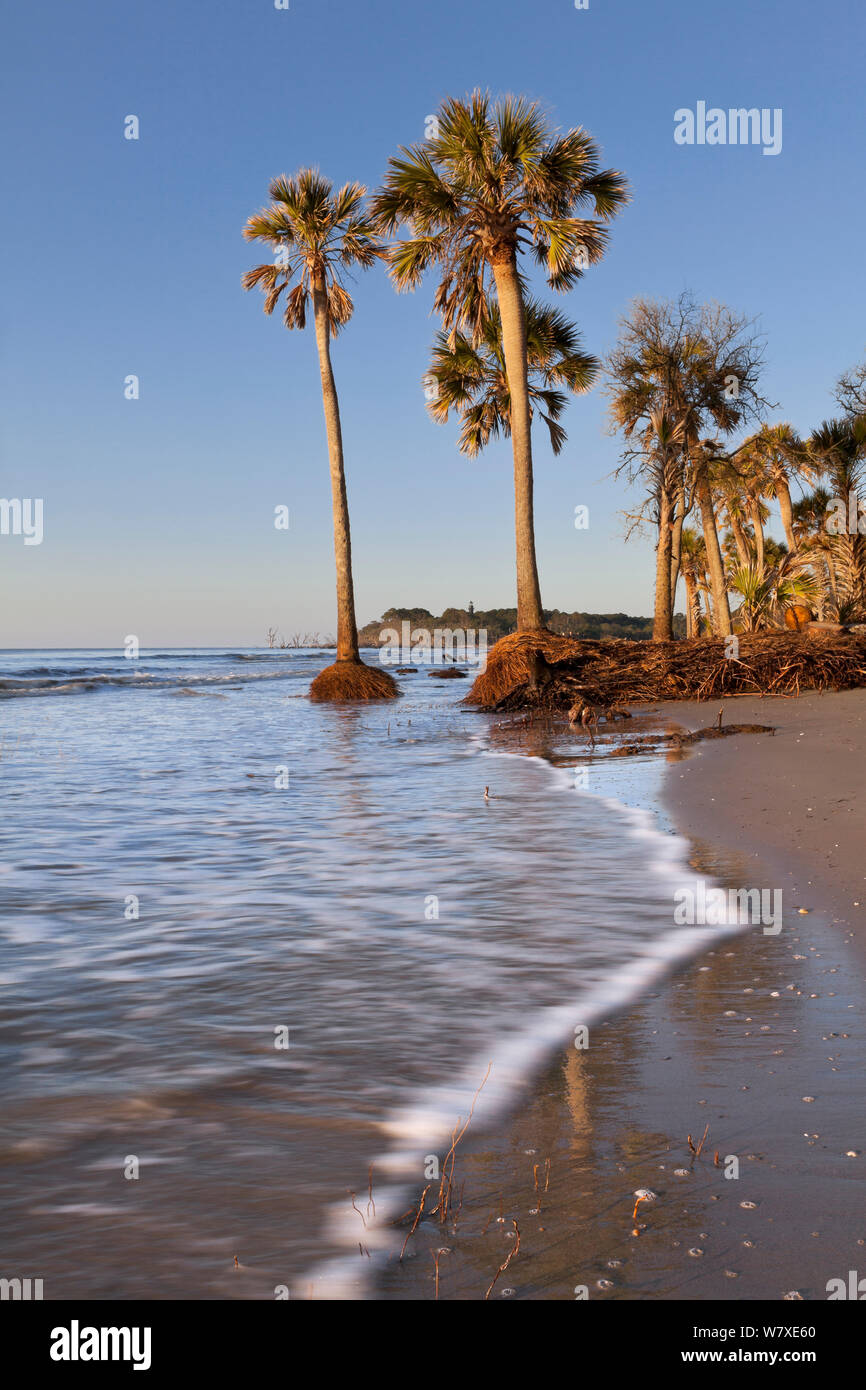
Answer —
259 956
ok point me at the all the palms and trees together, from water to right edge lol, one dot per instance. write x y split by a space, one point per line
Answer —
491 190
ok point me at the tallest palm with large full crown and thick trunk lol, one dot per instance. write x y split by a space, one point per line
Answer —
491 180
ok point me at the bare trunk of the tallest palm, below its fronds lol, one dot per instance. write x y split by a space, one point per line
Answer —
530 616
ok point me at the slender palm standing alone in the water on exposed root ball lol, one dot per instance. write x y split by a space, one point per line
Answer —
318 237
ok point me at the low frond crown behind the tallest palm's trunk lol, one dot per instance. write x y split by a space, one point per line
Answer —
472 380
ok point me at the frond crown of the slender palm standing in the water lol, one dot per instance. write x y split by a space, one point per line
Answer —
318 237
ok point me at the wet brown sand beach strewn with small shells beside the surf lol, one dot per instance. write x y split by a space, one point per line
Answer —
761 1039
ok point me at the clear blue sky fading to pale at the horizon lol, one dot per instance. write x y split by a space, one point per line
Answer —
124 258
